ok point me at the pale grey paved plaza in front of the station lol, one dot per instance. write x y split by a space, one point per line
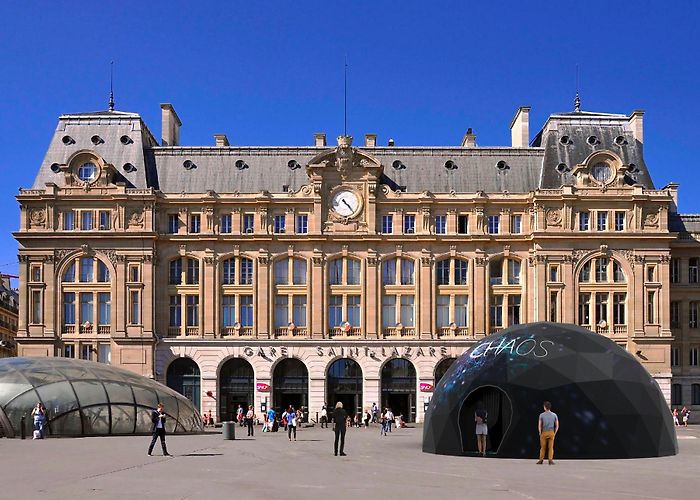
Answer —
269 466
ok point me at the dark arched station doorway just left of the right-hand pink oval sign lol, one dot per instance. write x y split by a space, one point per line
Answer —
399 388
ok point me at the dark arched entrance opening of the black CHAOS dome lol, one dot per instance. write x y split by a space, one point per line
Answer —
499 414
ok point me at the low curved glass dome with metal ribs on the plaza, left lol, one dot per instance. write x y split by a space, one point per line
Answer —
85 398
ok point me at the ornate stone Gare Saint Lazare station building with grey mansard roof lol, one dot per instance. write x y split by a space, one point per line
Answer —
348 271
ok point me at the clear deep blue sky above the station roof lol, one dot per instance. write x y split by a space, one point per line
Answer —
419 72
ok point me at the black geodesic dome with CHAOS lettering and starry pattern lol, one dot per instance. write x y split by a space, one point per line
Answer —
608 405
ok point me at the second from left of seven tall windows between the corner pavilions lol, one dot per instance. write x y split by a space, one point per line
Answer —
237 297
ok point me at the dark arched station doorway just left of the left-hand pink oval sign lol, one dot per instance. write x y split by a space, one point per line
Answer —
236 387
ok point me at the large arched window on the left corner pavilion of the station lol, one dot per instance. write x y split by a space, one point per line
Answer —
86 298
